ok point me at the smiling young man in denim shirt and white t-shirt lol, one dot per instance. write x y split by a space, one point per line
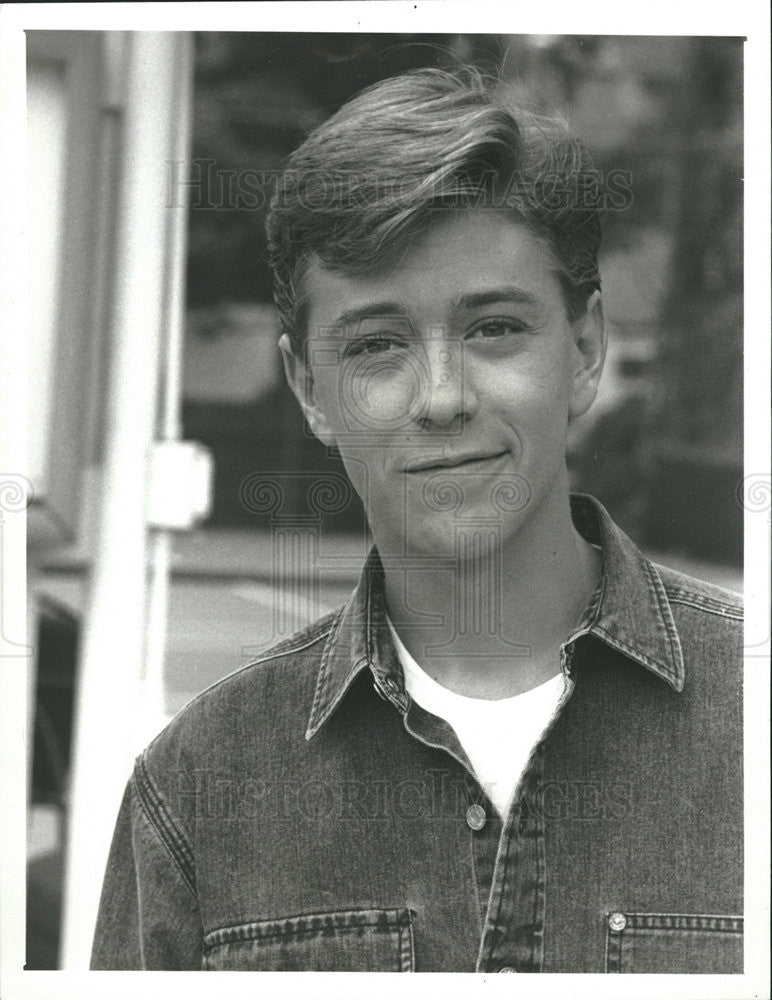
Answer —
517 748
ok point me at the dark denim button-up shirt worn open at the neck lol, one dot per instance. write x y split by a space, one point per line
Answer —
304 814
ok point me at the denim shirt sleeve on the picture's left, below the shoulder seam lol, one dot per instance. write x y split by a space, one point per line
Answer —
148 912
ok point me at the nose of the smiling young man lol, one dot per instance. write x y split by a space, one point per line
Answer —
447 395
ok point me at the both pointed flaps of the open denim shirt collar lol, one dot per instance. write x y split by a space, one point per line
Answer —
629 611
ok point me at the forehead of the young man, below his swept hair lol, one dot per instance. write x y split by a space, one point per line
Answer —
458 255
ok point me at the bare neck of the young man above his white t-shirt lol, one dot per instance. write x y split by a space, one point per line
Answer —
491 624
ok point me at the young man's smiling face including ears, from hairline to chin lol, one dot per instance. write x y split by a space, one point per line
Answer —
447 382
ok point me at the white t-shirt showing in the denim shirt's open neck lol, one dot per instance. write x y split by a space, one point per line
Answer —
498 736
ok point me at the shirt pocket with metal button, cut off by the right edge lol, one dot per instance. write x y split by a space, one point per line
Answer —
674 942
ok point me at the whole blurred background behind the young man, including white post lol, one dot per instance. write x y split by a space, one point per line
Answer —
131 618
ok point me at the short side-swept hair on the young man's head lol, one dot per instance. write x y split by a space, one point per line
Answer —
368 179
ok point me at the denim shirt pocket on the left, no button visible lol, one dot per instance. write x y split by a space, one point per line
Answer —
376 940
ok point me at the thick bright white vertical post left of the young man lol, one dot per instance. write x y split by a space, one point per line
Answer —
113 649
